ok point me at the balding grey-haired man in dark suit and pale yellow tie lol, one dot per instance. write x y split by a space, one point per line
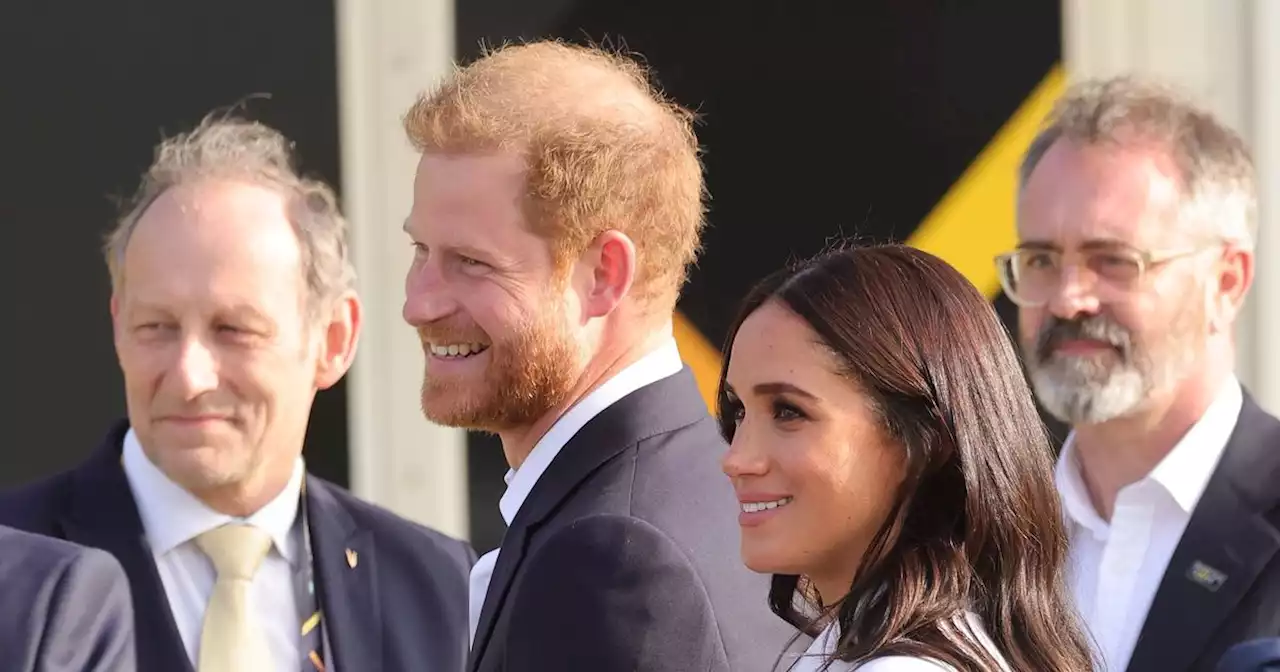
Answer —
232 308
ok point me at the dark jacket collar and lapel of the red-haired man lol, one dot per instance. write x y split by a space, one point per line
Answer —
661 408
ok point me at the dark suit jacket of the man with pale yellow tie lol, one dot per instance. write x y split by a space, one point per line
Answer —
403 607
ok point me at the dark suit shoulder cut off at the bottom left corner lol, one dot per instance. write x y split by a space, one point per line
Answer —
63 609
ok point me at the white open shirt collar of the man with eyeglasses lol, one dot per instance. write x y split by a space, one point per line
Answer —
1183 473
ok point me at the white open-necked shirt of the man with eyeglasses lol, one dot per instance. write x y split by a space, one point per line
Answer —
1117 568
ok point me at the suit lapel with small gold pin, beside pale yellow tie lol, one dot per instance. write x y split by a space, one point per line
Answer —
346 565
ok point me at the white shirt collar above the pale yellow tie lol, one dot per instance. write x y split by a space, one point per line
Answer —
172 516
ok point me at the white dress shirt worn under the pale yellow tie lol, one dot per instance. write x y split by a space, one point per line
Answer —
173 518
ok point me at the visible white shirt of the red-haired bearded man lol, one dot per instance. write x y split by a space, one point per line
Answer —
662 363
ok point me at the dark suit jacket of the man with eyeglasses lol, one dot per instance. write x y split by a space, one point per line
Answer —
1223 584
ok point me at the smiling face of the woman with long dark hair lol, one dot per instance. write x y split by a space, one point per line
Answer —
815 473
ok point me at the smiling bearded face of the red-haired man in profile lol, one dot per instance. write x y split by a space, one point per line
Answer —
499 323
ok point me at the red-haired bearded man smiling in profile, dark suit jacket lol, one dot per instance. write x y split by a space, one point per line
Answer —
557 207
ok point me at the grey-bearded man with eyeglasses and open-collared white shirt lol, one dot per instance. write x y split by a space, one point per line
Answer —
1136 225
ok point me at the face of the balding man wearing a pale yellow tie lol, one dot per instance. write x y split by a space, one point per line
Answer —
220 358
